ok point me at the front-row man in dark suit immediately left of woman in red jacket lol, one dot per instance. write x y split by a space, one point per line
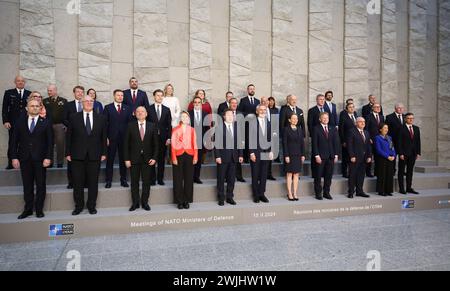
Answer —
140 154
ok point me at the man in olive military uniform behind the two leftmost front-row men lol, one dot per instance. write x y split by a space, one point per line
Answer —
55 107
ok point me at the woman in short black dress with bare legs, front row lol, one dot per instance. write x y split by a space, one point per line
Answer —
294 147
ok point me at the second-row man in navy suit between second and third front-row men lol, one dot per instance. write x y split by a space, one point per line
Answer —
117 115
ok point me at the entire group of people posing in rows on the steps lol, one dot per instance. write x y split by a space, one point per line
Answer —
248 130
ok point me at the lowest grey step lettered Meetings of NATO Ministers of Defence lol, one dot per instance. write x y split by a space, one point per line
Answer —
116 221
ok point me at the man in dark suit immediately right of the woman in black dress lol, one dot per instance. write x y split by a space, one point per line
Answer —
325 153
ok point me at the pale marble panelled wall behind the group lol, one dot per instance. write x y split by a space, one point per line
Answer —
300 47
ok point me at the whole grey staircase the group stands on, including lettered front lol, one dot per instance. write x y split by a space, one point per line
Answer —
431 181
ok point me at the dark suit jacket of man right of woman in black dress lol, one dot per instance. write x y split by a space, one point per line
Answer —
326 148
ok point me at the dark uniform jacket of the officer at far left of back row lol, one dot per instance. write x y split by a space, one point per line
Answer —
13 106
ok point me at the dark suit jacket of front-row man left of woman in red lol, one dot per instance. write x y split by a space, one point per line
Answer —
137 150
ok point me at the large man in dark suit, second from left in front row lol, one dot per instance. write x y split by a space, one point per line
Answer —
86 149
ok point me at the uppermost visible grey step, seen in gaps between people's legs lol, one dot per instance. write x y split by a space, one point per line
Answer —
59 176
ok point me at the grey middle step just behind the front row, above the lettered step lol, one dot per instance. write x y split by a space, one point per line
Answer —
59 198
